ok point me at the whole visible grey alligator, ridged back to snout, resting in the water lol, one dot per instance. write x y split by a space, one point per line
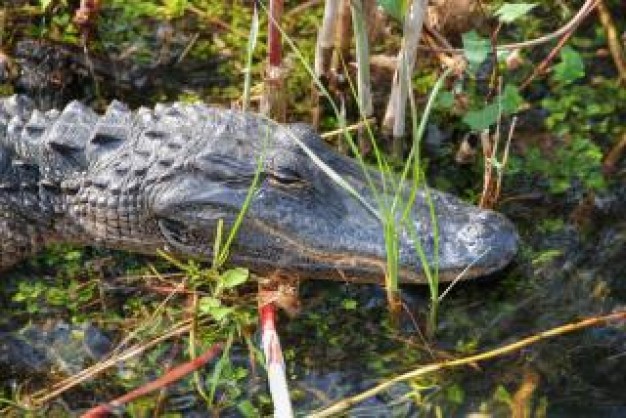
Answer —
161 179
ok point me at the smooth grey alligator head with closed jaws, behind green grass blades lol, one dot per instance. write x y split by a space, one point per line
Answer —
302 219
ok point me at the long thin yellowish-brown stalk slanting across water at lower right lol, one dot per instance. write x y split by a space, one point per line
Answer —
344 404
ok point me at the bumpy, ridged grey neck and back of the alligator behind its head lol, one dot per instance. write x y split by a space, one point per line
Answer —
76 176
